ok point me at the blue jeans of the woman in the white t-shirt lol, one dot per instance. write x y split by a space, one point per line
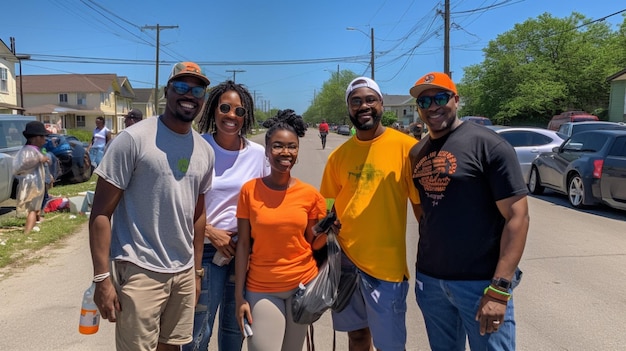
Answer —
217 290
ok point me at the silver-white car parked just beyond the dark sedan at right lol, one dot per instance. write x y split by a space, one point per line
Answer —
529 143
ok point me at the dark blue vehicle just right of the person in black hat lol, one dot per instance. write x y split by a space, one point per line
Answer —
75 164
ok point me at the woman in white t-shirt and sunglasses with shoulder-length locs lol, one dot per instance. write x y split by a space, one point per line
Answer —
227 118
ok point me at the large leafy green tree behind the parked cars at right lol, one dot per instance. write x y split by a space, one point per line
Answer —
542 67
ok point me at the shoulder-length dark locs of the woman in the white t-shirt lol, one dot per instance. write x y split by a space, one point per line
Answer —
207 121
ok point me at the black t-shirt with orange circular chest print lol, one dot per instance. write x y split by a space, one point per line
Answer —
460 177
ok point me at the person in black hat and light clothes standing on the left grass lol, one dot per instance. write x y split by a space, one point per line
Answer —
29 167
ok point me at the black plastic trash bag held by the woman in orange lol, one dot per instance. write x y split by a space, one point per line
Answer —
310 302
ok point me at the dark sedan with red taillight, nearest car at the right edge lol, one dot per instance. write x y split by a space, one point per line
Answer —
590 168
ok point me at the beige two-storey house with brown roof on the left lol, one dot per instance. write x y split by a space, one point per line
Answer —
73 101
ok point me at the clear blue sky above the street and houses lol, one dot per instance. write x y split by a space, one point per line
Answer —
267 38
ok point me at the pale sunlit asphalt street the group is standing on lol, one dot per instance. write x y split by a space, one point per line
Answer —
572 296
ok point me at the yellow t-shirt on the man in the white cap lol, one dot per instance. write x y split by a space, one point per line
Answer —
370 182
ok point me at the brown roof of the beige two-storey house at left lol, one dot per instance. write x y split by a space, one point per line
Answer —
69 83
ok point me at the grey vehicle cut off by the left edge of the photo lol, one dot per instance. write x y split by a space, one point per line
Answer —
11 141
